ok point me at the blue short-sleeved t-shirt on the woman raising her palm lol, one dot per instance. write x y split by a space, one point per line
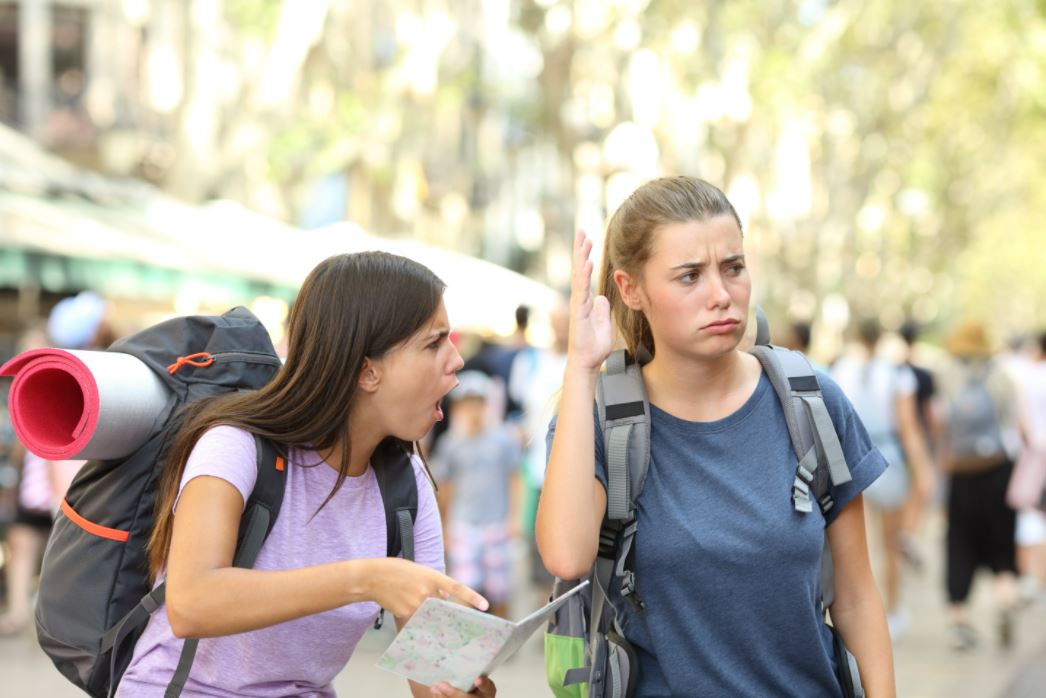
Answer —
729 571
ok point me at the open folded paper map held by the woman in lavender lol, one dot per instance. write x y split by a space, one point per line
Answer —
446 642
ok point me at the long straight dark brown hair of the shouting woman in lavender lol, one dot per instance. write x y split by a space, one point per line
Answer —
351 307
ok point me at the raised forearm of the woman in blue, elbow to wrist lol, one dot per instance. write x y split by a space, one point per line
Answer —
567 525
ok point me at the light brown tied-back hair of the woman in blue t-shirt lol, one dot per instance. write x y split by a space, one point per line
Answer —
630 239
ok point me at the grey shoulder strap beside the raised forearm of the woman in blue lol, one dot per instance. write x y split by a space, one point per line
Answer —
625 420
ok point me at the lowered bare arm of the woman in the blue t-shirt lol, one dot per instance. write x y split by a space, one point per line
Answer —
858 612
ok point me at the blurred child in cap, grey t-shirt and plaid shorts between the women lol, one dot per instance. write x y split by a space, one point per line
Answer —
476 466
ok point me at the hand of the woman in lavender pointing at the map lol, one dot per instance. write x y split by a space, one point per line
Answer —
400 587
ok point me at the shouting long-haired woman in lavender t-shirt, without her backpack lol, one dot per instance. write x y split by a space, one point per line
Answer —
369 361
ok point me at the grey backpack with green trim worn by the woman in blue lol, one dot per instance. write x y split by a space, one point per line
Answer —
586 652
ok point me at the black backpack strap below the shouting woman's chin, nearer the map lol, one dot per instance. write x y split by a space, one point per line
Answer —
396 481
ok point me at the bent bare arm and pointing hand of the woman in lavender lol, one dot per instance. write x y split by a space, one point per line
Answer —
207 597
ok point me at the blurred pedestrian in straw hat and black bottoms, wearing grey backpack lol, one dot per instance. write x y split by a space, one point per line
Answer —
977 446
